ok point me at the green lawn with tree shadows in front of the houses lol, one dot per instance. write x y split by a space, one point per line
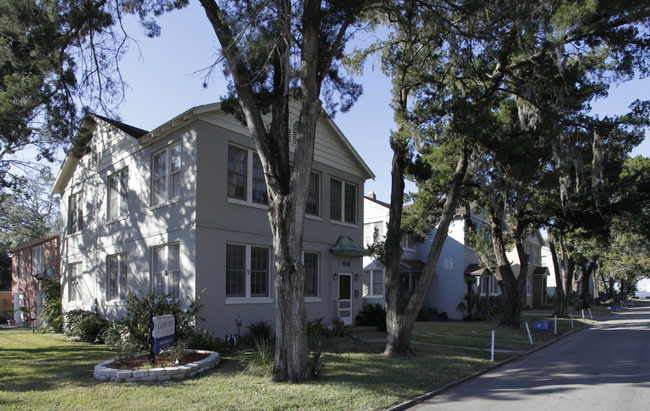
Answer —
43 371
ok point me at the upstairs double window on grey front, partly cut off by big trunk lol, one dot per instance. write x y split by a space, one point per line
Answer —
246 176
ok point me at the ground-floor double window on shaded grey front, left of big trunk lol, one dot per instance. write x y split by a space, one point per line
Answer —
247 271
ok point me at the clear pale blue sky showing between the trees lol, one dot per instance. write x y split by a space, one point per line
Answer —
165 79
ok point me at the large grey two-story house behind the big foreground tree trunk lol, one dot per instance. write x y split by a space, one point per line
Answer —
183 208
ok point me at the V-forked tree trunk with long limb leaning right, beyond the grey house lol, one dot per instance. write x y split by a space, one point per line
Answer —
400 317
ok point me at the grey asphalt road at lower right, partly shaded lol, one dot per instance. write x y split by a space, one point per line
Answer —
605 367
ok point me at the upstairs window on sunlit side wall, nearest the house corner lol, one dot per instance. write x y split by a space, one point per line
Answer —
166 175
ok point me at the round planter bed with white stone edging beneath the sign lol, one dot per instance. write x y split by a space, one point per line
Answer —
138 369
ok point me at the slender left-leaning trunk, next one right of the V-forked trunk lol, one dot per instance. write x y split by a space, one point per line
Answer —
509 283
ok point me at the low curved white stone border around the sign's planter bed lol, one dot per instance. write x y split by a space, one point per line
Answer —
104 373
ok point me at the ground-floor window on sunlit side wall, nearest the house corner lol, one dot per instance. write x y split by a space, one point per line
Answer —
166 270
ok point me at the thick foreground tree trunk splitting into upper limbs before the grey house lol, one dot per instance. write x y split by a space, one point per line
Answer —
287 183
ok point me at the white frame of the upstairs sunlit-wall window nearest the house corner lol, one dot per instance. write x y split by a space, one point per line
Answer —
170 177
